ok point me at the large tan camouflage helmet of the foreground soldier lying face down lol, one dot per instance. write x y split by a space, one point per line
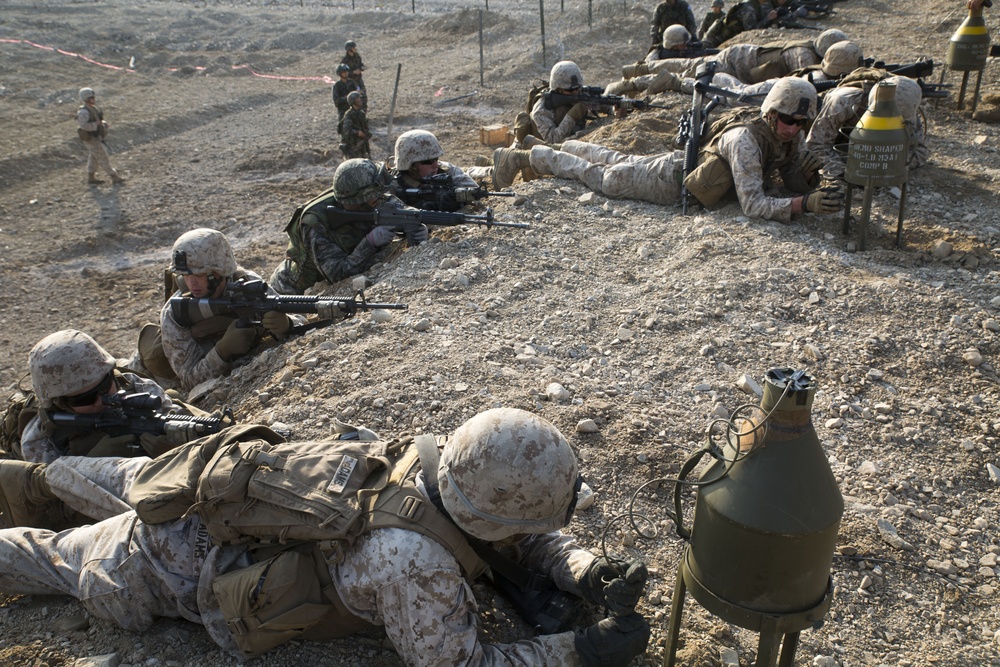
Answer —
506 472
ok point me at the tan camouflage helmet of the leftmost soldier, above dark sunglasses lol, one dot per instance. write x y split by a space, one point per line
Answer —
67 363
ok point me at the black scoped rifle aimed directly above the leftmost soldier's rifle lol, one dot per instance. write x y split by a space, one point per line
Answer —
250 299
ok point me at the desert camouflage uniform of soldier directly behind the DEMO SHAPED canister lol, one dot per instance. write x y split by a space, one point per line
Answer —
842 109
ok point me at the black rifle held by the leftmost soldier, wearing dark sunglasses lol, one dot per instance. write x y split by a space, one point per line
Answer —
137 414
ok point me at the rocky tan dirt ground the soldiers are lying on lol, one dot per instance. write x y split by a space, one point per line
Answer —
647 318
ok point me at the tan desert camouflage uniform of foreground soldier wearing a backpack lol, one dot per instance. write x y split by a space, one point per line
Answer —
131 573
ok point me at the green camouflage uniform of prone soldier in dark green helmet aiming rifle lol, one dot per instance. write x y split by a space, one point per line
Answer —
328 254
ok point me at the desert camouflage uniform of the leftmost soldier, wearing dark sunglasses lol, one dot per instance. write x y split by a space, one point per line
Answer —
38 446
